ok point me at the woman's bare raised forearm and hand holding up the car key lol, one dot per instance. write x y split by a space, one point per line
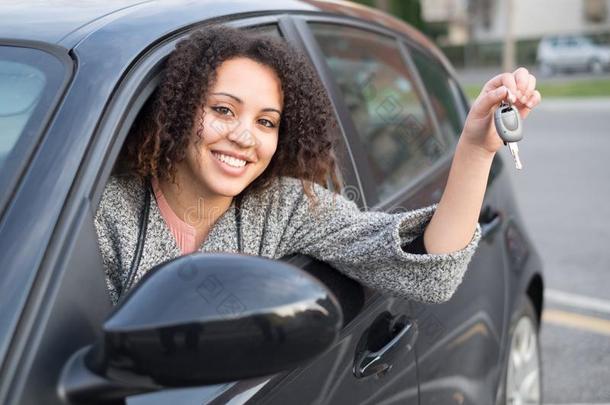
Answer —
455 219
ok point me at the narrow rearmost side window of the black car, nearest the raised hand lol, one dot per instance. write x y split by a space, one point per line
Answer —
442 97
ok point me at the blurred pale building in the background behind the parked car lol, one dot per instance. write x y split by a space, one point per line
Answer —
473 32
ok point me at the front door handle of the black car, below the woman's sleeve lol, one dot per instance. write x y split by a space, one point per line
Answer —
380 361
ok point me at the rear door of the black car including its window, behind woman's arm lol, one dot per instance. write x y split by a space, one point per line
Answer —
408 115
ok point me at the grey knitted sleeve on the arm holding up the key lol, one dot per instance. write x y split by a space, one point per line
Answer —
382 250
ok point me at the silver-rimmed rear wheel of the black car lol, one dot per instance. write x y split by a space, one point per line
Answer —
523 383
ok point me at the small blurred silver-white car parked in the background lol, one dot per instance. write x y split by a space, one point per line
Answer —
571 52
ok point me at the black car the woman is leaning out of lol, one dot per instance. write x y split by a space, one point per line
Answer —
73 76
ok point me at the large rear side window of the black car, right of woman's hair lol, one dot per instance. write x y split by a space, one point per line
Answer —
387 110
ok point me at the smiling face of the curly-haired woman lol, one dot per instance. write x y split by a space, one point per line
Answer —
239 130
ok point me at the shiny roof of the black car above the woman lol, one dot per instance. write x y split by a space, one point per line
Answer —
65 22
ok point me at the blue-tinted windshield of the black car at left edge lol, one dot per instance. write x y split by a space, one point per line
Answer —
29 81
